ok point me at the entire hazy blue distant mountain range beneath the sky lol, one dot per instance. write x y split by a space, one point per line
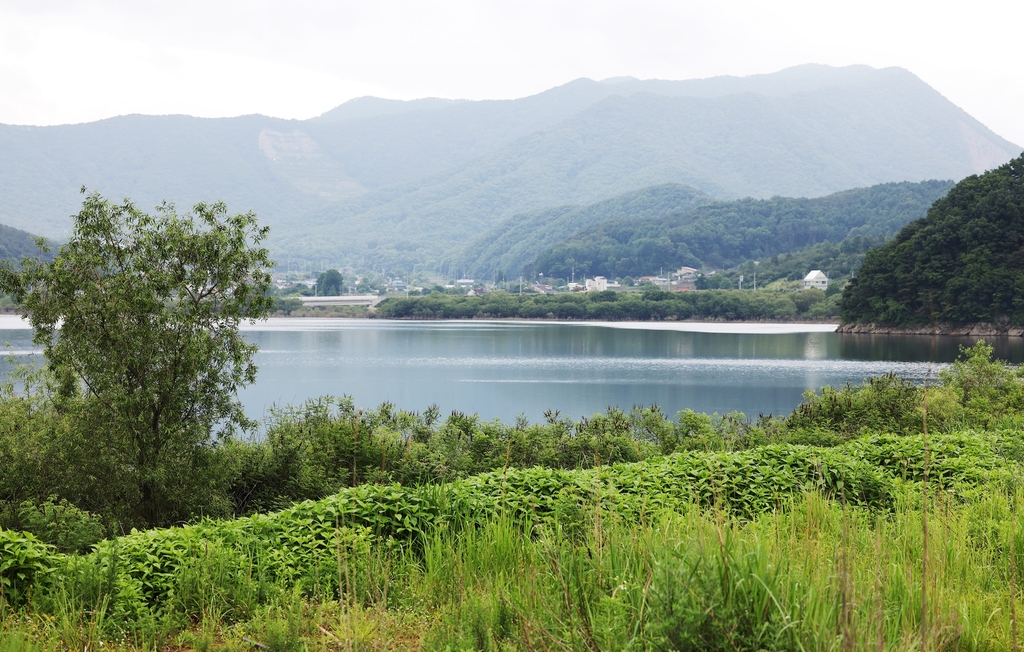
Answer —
383 184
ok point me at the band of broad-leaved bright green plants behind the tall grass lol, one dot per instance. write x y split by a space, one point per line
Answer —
318 548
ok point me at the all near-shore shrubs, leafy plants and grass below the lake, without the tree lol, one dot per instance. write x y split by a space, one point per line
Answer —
881 516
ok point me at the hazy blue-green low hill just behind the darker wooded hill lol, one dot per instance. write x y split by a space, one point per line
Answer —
506 248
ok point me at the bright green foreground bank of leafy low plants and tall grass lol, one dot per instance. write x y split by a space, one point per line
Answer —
780 548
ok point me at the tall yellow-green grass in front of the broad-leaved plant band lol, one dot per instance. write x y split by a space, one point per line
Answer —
819 576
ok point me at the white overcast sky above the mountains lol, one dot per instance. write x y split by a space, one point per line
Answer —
66 62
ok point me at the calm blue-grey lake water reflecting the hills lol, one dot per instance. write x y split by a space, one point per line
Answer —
502 369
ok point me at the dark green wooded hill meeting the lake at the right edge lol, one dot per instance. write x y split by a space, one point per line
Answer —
961 265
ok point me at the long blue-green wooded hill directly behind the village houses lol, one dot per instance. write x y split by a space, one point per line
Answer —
727 234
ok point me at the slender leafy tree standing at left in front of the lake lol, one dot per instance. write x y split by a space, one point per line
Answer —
139 319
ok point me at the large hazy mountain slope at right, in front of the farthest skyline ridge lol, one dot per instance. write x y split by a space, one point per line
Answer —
803 146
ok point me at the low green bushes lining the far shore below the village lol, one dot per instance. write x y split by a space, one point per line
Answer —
653 305
